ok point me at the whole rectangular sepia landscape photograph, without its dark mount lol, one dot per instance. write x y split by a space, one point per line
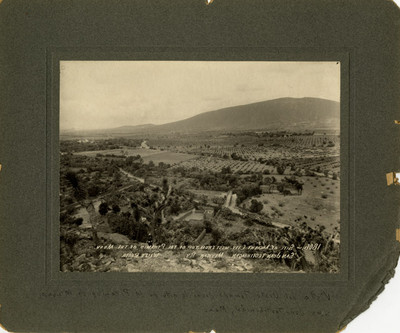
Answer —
200 166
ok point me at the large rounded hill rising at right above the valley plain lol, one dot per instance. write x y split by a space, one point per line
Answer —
282 113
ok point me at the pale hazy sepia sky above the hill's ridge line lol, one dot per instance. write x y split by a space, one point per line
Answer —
107 94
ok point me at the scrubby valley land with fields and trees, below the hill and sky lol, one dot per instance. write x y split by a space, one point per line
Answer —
226 190
